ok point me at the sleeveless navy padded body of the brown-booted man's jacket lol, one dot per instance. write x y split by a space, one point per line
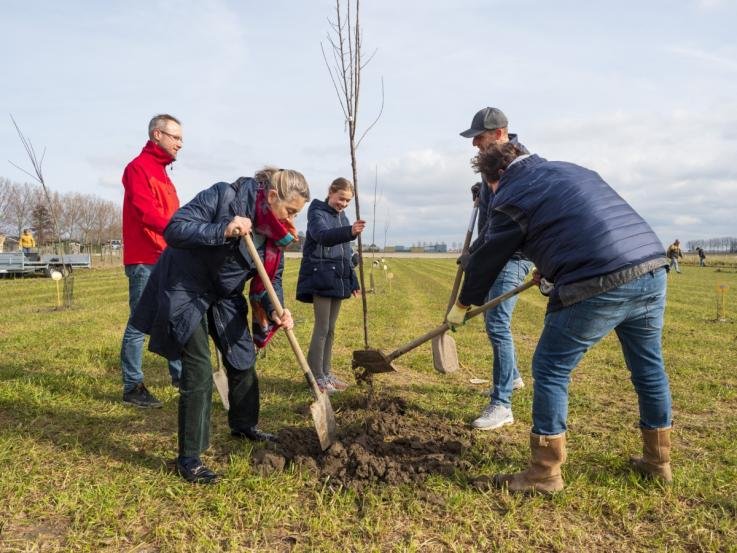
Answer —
577 226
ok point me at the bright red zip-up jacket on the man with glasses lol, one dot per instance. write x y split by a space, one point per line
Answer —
150 201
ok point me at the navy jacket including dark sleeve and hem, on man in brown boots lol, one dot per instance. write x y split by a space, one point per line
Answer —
576 229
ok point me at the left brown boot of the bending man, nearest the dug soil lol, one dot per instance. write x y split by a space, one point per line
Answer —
543 475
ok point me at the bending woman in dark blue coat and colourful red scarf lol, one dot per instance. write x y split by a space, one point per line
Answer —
196 289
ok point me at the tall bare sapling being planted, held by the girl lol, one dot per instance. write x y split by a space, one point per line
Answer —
345 65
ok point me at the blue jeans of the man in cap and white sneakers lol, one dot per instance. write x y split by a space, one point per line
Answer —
498 327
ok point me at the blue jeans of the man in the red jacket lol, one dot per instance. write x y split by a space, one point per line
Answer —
131 351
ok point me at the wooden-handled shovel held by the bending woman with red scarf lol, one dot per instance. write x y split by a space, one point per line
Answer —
321 409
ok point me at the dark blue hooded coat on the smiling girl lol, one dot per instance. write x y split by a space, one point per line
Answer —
327 268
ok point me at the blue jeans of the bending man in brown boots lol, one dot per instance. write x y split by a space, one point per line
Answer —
635 312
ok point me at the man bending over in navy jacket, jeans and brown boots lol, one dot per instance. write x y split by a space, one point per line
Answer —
559 215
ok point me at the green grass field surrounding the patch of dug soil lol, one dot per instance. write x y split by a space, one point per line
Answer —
80 471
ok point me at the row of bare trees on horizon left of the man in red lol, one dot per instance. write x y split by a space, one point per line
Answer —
82 218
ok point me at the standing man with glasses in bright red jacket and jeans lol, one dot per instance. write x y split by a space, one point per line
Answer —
150 201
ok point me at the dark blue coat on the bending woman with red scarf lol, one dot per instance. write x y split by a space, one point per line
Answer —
201 270
